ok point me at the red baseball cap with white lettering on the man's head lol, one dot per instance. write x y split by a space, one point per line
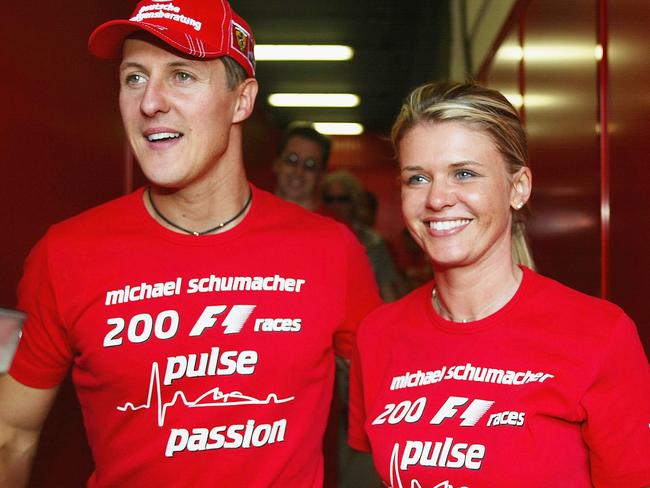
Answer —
201 28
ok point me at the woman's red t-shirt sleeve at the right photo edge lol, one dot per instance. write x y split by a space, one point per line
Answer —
617 405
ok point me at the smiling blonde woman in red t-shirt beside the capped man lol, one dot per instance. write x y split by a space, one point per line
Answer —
491 375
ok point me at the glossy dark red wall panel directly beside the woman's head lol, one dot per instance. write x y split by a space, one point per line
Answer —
560 103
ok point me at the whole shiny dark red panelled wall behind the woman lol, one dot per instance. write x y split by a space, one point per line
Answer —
588 122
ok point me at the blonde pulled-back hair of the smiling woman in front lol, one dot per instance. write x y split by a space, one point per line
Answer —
486 110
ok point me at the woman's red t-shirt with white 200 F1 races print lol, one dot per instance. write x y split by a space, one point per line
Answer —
574 410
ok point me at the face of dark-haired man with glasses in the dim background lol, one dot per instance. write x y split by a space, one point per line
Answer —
298 169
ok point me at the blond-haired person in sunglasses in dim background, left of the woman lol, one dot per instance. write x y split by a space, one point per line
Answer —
345 199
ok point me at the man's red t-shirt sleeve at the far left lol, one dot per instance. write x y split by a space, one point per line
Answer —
43 356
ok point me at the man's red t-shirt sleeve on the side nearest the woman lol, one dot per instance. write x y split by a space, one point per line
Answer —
361 297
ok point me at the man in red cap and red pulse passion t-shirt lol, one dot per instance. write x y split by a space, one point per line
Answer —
199 326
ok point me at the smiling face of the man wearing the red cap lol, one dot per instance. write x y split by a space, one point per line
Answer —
177 113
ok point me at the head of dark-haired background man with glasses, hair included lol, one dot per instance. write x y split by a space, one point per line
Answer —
300 163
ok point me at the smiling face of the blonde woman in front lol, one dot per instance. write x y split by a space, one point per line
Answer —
457 194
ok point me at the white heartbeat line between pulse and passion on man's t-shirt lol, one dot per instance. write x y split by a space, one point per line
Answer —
218 398
